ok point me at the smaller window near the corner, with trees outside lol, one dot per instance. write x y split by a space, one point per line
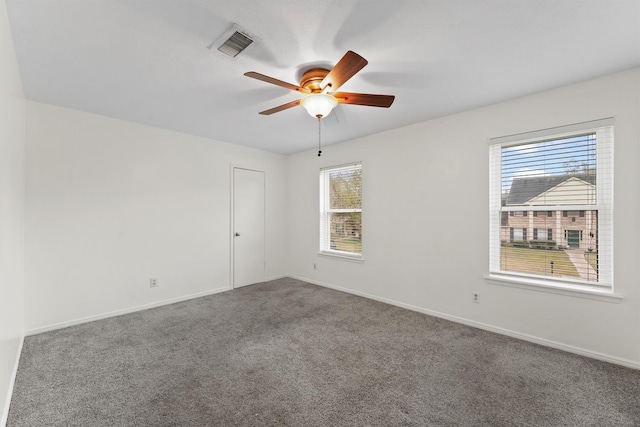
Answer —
341 211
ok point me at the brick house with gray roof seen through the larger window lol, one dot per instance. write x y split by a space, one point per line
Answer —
567 228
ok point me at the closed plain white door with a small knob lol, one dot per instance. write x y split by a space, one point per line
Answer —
248 227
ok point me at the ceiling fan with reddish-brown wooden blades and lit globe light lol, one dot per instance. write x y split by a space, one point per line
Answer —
320 86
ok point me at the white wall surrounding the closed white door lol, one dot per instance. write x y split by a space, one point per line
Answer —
110 204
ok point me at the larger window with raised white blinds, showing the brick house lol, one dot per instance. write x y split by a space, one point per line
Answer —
568 170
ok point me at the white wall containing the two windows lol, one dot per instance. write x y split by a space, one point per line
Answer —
425 220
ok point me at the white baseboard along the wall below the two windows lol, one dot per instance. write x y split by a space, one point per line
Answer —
525 337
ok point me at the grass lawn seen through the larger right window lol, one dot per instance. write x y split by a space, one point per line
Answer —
537 261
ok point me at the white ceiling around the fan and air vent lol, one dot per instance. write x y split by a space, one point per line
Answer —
147 61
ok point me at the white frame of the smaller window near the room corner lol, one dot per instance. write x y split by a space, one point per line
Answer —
324 244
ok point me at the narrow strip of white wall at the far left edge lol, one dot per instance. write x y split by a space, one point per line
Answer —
12 122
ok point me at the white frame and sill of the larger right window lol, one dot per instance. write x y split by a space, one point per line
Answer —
604 130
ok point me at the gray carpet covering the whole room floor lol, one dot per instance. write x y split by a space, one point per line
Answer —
290 353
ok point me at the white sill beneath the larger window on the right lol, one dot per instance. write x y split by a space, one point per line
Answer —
578 291
